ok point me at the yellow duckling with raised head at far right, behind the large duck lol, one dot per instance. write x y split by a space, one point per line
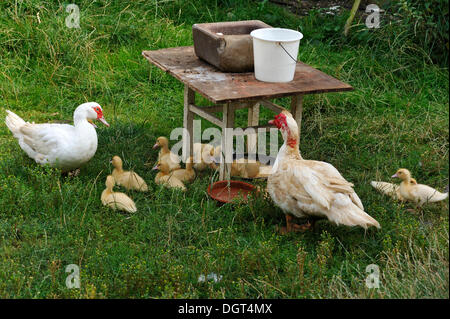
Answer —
417 193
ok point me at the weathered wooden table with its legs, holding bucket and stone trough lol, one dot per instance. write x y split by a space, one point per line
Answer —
232 91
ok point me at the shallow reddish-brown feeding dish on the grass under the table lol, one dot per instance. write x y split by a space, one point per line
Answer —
224 193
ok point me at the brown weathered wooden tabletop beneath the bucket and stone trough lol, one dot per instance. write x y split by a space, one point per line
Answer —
220 87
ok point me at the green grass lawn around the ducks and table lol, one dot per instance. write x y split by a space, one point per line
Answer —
397 116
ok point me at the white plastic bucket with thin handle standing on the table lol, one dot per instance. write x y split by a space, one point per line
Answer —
275 53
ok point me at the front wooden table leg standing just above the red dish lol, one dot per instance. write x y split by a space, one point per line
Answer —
227 141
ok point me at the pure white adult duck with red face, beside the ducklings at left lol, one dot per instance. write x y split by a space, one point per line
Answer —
63 146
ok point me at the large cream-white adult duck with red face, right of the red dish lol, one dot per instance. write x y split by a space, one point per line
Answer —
306 188
